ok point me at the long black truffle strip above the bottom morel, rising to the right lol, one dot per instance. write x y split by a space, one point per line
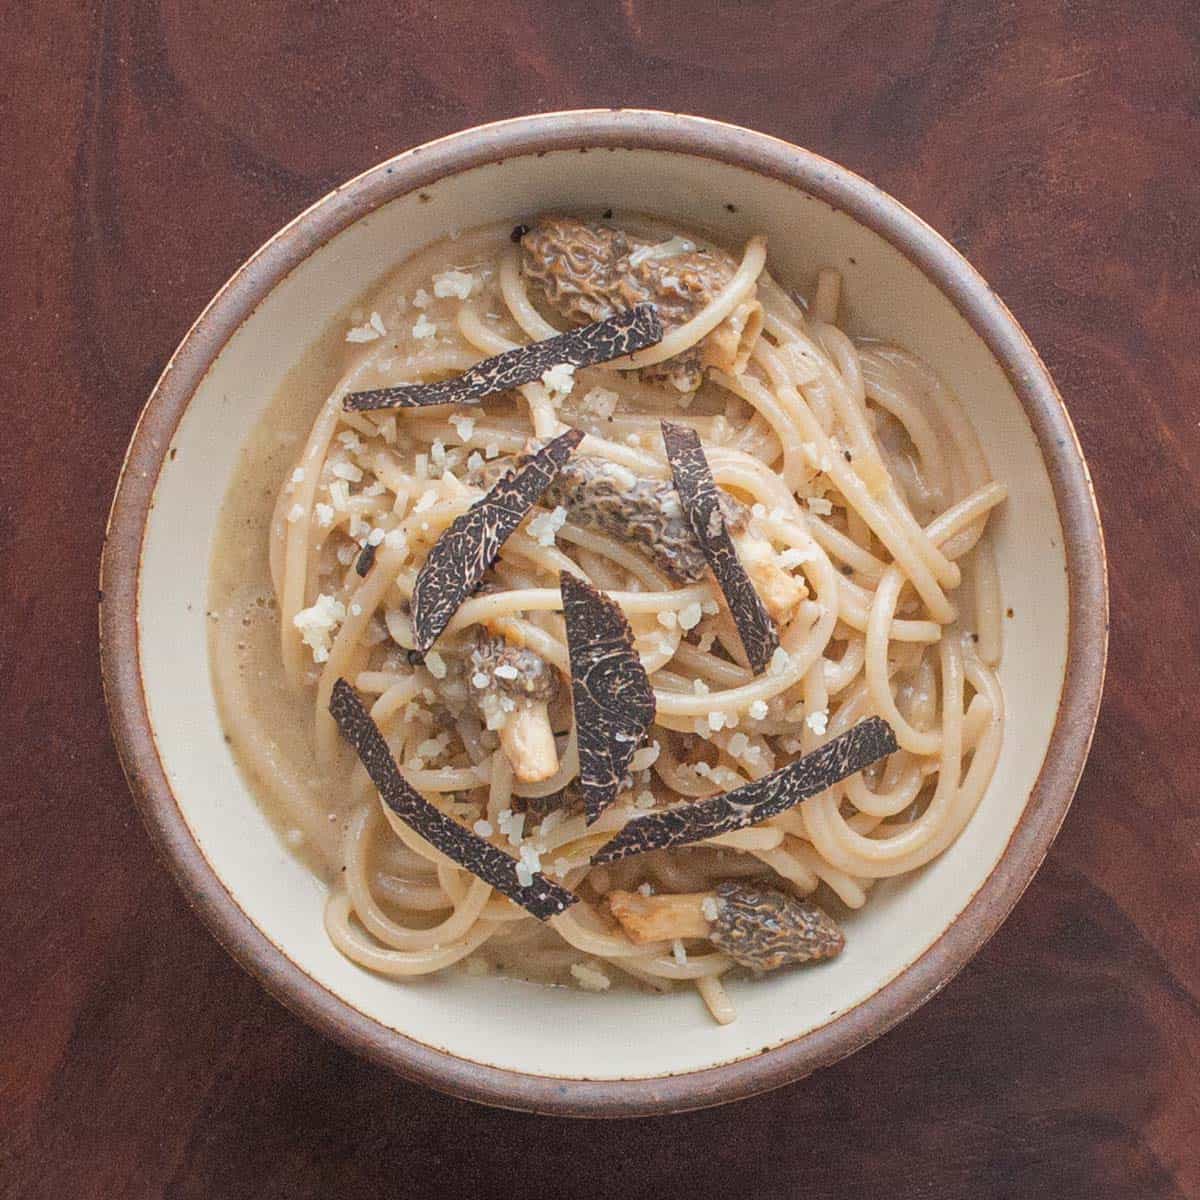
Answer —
680 826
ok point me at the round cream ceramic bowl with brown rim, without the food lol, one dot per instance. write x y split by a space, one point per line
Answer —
563 1051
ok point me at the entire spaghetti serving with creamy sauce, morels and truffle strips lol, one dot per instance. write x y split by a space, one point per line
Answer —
783 532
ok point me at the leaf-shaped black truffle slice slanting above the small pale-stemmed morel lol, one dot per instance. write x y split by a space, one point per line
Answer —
461 557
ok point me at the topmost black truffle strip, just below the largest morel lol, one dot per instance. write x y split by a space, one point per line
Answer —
599 343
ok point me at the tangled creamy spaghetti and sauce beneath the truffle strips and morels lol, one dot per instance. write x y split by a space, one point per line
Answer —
850 455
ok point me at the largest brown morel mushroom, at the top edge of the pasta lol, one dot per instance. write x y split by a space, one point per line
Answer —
587 272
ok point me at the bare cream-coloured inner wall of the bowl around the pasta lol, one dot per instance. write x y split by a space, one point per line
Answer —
500 1022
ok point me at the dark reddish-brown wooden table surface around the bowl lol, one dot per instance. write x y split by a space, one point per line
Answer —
147 148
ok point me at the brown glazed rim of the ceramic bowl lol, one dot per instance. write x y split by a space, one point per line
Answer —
423 167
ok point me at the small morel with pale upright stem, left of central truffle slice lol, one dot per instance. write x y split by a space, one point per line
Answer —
514 698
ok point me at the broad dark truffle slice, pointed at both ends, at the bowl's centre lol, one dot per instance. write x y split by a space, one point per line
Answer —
613 694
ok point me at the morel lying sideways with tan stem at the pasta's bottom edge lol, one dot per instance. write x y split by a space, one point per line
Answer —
757 927
